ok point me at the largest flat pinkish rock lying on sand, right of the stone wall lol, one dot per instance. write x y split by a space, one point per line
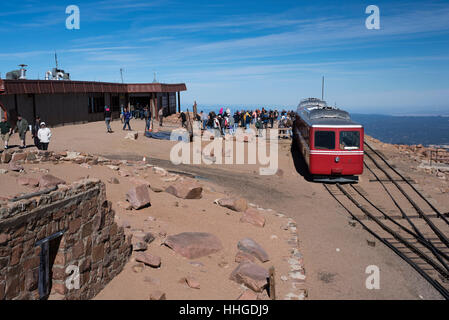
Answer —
194 245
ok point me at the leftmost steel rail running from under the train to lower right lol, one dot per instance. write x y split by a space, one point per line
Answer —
443 291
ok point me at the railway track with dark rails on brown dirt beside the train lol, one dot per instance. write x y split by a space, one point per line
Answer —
401 217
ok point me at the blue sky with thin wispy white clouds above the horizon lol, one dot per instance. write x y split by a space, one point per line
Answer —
244 53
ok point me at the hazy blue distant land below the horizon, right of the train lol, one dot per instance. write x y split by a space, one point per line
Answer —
425 130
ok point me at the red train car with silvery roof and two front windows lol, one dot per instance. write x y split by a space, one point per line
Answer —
330 142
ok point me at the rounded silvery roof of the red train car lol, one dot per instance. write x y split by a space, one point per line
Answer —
316 113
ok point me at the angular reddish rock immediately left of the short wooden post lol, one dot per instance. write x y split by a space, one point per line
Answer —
252 275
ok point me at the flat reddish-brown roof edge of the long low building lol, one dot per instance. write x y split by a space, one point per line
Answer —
64 86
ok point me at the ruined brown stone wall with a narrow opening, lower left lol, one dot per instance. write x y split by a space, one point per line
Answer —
91 241
